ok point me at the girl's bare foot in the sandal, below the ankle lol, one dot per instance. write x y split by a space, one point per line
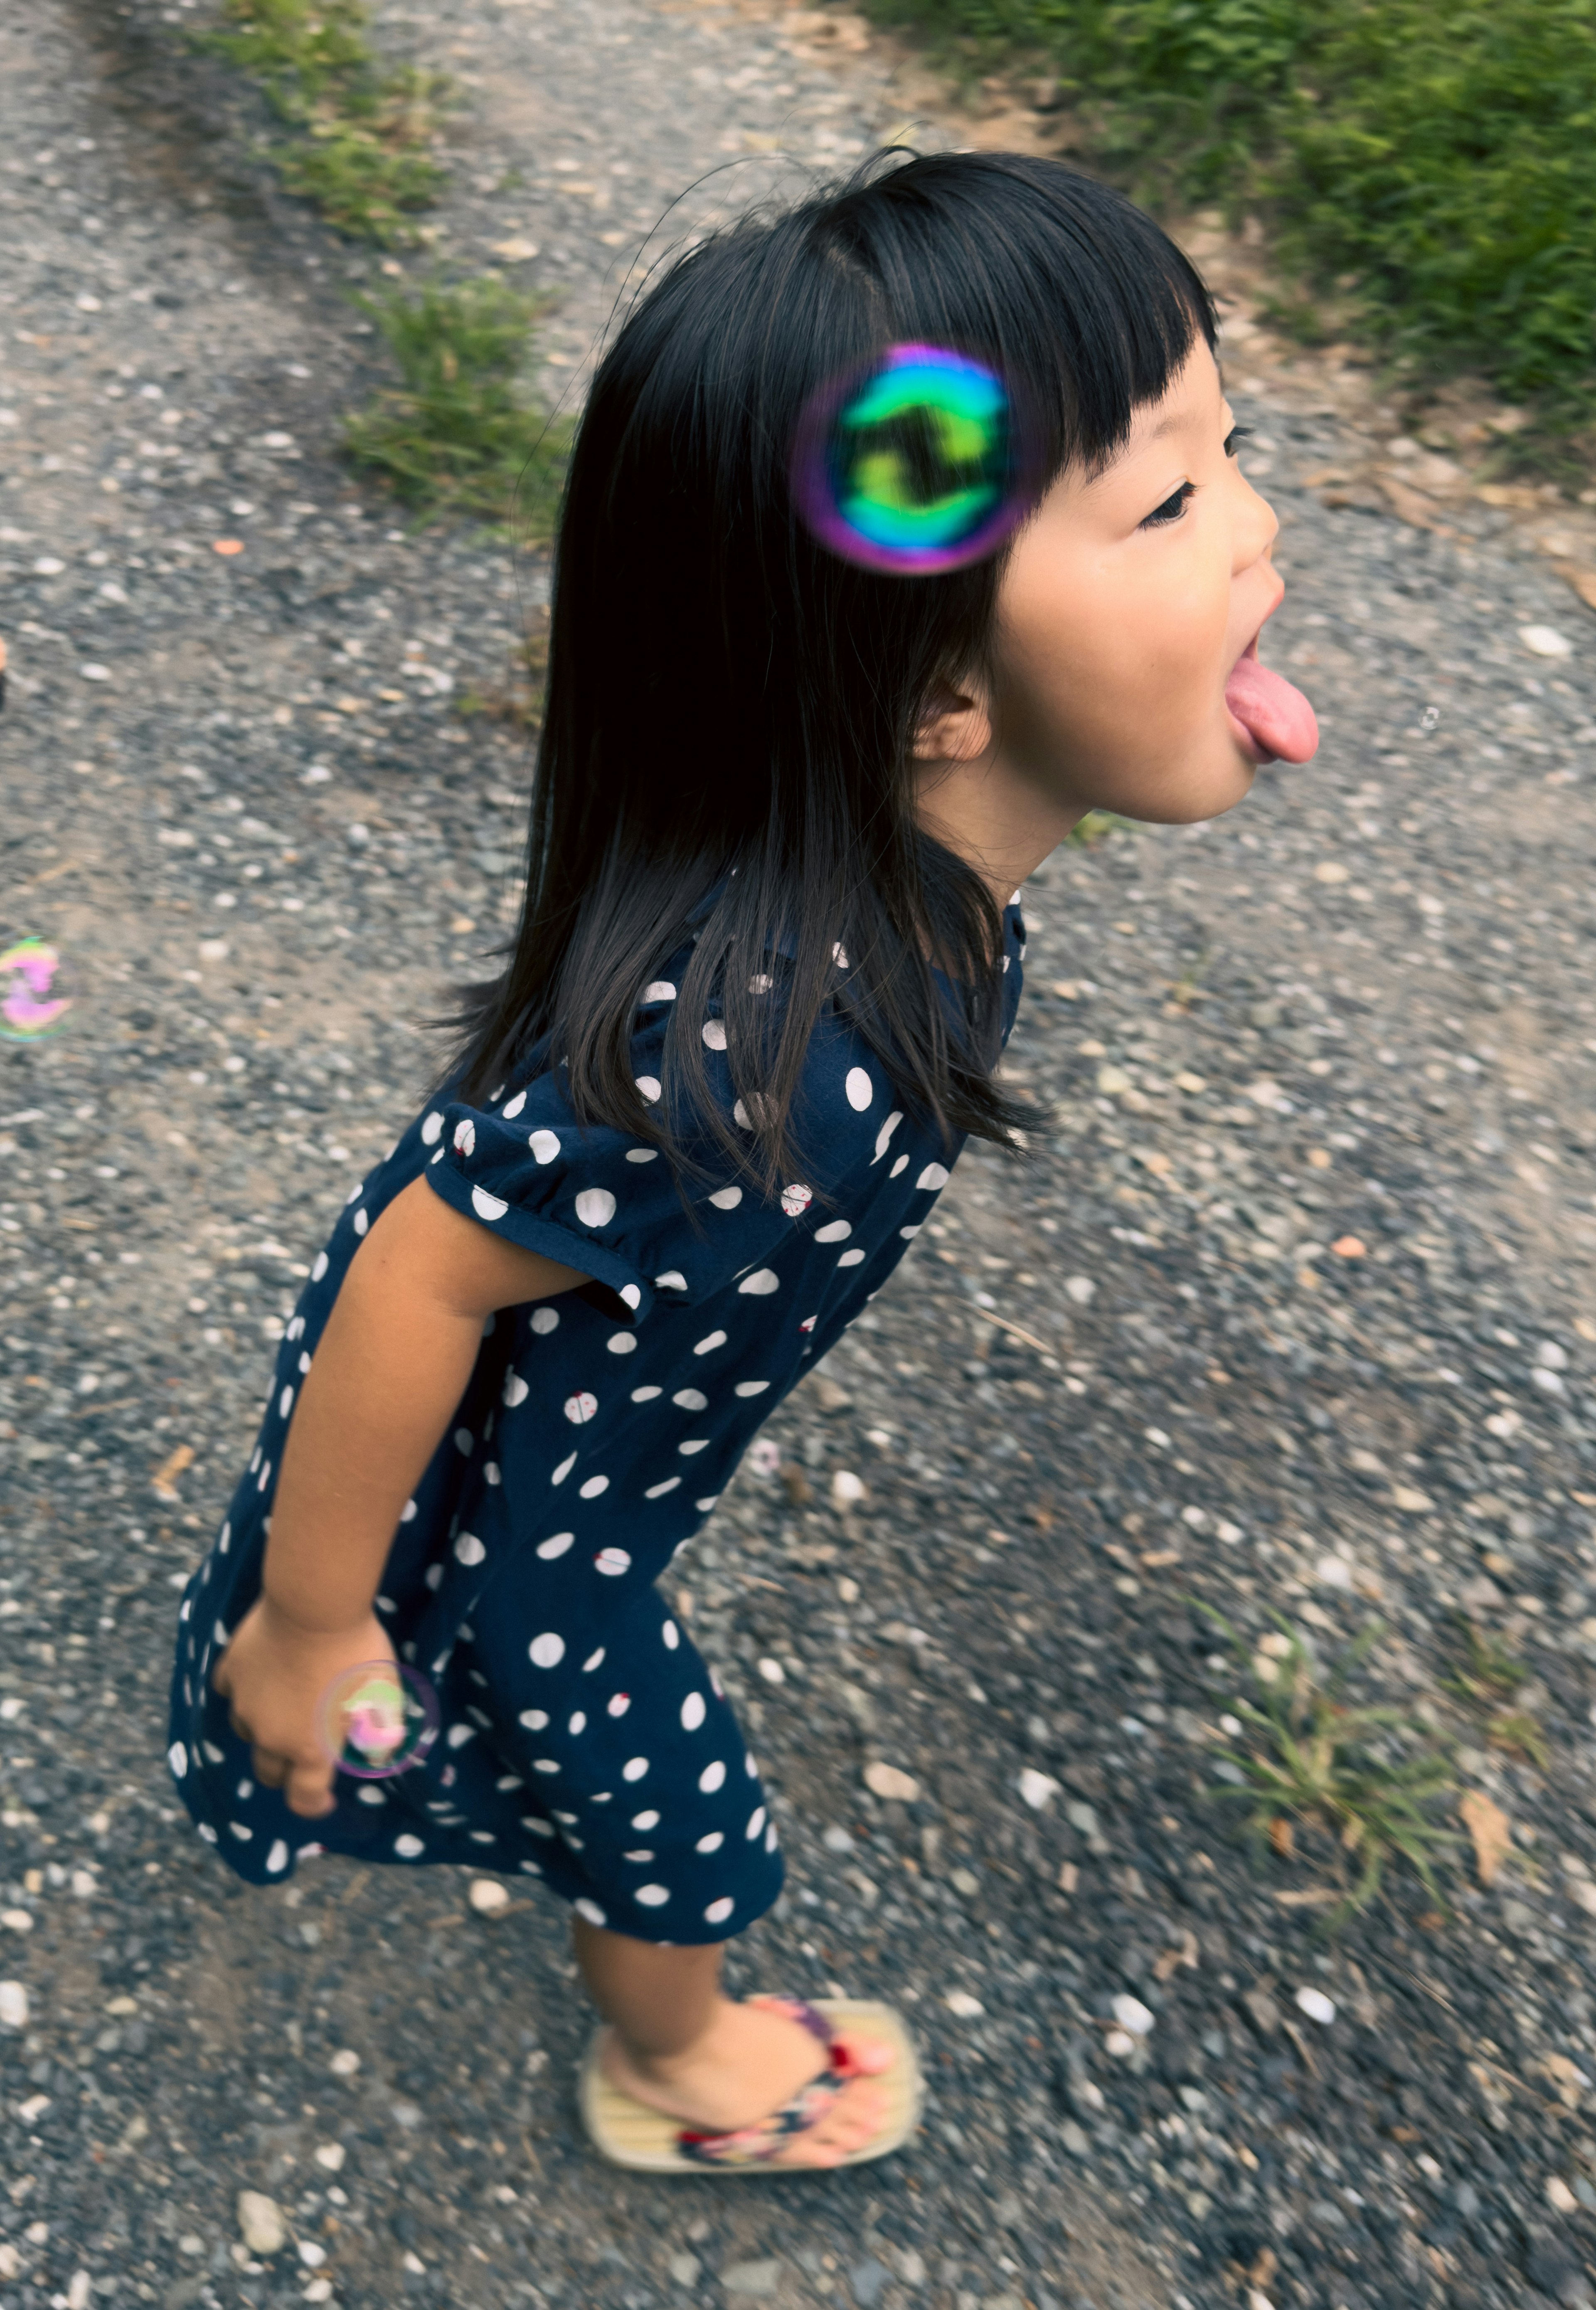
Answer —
747 2064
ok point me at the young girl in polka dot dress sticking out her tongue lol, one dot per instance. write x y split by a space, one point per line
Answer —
766 967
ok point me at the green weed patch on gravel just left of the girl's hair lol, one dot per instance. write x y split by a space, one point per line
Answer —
458 431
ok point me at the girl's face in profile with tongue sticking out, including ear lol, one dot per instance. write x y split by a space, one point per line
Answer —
1131 606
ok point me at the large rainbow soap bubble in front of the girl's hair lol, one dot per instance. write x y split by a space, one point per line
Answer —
911 465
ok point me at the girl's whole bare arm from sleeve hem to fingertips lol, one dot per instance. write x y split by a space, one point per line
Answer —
382 1389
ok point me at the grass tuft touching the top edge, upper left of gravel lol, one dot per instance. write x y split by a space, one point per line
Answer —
364 154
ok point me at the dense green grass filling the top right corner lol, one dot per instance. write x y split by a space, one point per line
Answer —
1429 165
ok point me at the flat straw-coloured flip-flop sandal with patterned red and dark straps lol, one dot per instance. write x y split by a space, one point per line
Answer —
646 2140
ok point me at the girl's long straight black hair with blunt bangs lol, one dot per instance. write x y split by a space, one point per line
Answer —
733 710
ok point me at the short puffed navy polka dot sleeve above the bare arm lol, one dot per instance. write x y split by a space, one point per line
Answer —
595 1198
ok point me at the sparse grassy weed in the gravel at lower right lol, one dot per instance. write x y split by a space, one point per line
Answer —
1332 1771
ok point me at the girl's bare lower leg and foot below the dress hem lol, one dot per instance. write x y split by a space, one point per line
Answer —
683 2048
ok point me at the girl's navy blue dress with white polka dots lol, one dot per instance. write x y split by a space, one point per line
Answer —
583 1741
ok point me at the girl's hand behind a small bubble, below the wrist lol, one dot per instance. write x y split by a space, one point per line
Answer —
274 1674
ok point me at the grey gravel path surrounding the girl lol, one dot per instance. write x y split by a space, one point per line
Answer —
1290 1313
